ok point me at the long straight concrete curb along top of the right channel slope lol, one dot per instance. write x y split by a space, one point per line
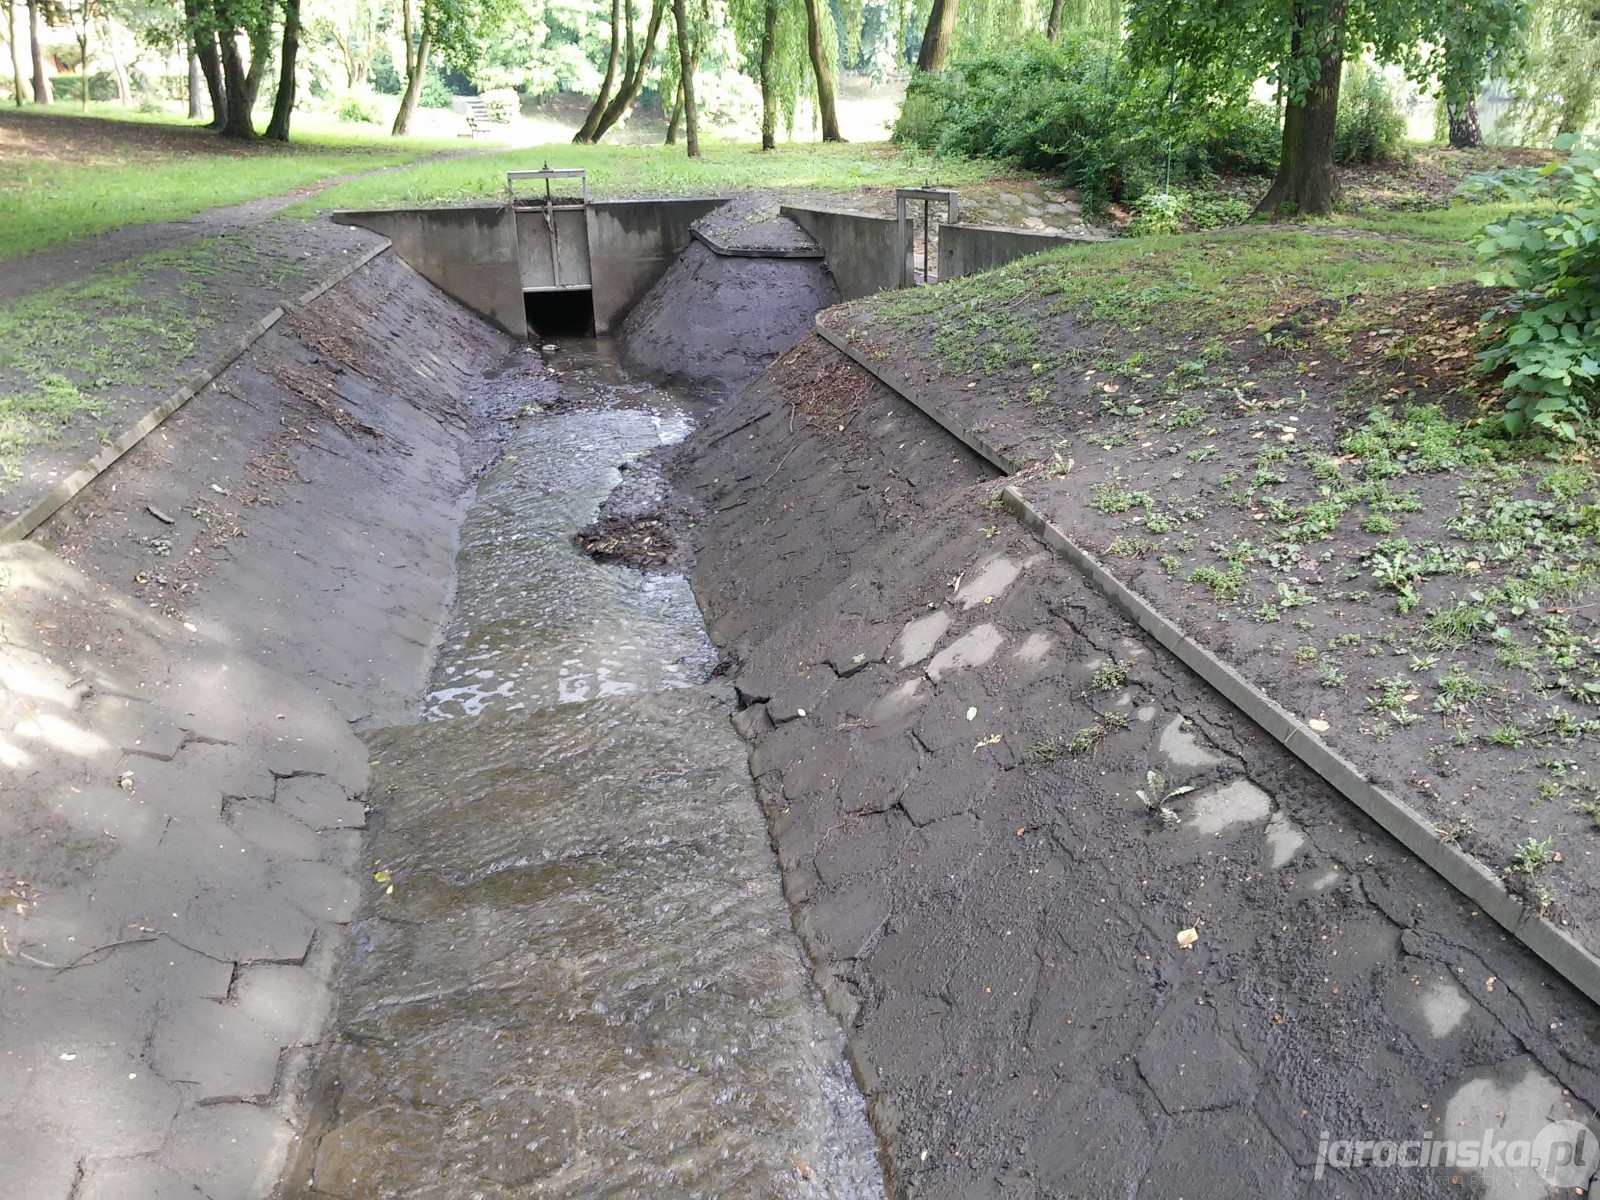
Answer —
1559 951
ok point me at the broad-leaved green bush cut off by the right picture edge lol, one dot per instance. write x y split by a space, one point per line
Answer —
1548 332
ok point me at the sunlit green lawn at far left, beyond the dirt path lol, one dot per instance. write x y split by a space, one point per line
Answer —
172 175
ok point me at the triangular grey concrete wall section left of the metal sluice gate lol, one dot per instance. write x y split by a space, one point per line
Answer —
470 254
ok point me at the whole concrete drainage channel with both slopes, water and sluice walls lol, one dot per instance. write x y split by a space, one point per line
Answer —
572 970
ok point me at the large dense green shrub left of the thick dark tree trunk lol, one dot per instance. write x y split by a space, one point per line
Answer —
1078 108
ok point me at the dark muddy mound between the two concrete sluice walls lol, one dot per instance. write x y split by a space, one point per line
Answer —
714 321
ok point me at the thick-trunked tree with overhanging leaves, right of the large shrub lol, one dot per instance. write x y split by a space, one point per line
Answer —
1302 47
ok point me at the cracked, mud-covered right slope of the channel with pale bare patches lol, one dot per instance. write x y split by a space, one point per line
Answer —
951 738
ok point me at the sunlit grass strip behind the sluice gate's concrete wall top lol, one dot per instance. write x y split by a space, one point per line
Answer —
660 170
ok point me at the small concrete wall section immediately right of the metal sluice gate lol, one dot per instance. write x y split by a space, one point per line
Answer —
633 244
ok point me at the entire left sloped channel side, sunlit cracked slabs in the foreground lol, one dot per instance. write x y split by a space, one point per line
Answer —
185 650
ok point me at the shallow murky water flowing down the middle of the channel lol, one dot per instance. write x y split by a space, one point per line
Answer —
575 972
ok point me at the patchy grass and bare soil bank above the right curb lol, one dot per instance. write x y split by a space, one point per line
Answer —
1281 438
